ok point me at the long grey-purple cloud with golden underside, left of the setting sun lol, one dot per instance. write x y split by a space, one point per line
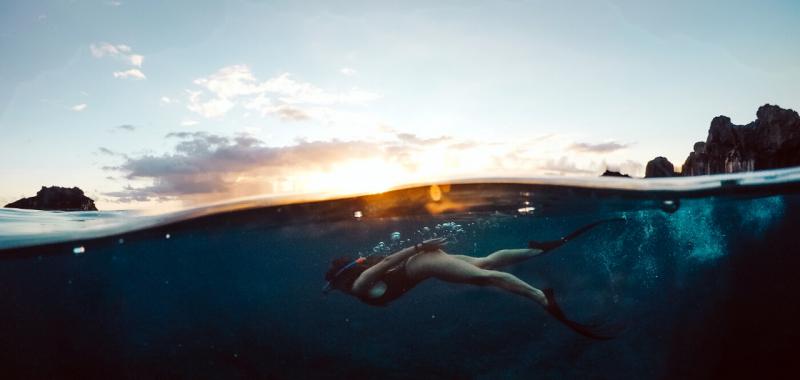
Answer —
204 163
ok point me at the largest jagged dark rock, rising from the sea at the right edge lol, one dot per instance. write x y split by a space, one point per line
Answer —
772 141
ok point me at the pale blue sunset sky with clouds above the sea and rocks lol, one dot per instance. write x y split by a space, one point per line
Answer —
153 104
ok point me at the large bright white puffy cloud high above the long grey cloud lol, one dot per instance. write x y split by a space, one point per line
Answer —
237 85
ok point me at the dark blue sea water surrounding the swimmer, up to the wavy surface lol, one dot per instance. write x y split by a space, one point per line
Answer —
700 280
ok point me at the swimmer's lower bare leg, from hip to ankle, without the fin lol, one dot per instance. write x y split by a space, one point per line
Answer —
447 268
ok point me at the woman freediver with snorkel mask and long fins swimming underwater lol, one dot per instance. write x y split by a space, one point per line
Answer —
378 280
